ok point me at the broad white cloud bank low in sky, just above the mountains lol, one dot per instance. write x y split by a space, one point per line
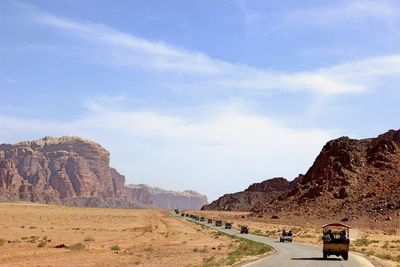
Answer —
216 154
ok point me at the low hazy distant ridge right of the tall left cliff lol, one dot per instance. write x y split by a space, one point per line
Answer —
167 199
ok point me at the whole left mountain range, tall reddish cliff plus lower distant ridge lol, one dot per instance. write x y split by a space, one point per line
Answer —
75 171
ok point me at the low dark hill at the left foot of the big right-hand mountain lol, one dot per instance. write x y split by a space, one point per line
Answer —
254 195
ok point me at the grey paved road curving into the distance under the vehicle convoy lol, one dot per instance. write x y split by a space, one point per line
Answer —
294 254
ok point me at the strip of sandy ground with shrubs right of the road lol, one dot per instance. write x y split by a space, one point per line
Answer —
382 246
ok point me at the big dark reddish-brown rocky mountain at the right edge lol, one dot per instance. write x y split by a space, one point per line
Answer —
350 178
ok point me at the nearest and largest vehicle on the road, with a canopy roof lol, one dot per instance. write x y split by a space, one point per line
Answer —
336 240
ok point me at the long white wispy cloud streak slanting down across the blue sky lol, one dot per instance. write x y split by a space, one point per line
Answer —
200 69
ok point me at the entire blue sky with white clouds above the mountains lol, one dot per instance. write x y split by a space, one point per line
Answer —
203 95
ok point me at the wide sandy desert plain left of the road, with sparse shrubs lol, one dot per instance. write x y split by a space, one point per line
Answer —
29 234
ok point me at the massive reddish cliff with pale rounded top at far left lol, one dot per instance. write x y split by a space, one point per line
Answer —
56 169
